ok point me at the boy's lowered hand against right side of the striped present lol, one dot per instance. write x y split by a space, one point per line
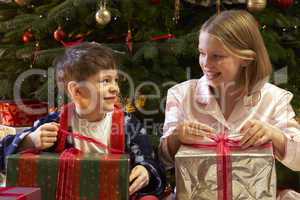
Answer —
140 177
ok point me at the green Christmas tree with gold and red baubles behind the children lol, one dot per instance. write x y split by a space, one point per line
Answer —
154 40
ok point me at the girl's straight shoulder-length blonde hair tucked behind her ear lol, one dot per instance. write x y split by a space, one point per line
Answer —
238 30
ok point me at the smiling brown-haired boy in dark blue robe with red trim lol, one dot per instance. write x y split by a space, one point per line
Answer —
88 73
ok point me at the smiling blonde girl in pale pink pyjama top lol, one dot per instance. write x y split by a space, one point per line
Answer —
233 95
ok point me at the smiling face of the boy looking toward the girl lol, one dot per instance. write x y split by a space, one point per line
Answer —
98 94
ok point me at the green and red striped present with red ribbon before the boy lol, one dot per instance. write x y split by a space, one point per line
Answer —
72 175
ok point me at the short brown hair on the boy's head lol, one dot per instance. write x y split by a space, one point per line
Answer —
80 62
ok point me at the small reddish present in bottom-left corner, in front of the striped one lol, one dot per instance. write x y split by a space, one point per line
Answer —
20 193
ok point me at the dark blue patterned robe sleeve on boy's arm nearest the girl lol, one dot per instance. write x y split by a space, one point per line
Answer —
141 153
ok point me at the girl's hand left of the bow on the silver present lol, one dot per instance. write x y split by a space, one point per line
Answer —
191 132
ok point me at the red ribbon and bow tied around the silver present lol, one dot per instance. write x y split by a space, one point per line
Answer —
224 145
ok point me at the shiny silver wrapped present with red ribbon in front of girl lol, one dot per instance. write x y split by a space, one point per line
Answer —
221 170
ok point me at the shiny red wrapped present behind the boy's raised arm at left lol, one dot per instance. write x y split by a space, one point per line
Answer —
14 114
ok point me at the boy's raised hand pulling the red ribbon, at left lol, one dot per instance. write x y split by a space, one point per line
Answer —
45 136
